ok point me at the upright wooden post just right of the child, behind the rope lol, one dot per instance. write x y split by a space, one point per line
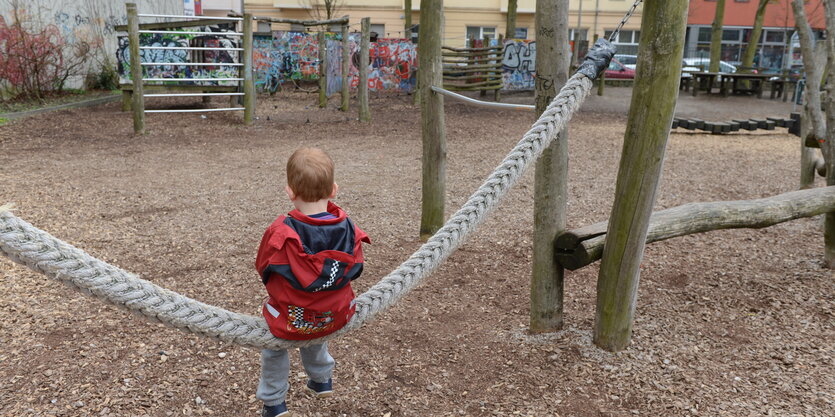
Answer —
432 129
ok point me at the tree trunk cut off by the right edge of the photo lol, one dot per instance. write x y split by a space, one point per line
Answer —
828 146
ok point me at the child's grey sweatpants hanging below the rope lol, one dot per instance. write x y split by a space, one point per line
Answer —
275 369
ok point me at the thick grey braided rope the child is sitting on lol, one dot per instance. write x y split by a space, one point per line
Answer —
28 245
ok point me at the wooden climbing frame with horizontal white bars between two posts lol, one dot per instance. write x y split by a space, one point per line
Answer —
206 85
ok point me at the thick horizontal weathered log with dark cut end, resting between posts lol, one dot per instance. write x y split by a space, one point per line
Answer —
580 247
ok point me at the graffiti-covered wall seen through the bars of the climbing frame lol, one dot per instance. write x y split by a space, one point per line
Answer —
182 56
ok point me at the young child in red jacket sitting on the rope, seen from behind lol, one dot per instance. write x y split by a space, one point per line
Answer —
307 260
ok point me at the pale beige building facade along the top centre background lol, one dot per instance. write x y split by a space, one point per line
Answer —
463 18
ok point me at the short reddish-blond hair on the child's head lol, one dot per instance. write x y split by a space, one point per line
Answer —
310 174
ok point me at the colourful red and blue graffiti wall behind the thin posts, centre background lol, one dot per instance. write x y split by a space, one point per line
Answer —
288 56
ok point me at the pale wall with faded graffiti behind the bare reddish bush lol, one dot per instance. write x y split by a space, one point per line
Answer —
86 25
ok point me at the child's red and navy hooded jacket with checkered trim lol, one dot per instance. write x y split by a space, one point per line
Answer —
307 265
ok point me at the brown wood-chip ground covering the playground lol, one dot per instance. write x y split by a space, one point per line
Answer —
729 323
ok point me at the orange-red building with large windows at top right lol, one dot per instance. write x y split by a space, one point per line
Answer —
775 46
